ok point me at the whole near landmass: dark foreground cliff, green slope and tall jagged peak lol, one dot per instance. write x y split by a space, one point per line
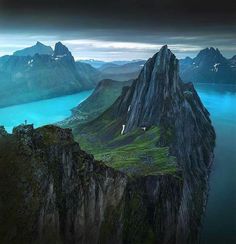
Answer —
158 140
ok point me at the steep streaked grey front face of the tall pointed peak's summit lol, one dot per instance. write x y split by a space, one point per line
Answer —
158 84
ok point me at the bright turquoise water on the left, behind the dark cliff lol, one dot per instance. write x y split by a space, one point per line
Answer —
41 112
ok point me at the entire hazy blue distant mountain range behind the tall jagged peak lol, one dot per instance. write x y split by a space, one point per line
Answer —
39 72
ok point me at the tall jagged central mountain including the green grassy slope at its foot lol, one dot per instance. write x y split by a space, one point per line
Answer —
158 126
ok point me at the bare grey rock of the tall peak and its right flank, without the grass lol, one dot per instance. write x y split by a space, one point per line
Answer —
159 98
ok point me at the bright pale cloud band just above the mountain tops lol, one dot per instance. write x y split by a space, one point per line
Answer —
108 45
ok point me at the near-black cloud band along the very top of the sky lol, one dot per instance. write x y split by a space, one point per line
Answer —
149 13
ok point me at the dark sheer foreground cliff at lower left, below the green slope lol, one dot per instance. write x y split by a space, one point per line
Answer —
53 192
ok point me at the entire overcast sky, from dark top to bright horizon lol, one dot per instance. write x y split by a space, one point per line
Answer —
121 29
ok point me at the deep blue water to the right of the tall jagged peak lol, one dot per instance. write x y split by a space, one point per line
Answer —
219 226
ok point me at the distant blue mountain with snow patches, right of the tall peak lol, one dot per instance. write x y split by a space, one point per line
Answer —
209 66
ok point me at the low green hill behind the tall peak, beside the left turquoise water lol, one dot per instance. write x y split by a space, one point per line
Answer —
104 95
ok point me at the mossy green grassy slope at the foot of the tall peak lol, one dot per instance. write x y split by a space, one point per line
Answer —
135 153
